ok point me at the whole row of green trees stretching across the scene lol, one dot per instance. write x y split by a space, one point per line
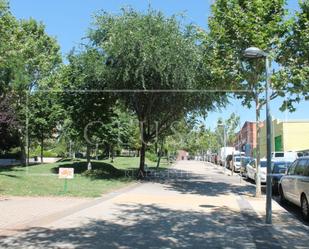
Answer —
139 72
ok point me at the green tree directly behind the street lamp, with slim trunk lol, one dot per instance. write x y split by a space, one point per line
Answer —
234 26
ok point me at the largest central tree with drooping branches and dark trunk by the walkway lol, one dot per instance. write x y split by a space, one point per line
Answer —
152 56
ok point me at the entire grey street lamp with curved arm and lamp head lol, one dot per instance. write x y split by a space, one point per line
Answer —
253 52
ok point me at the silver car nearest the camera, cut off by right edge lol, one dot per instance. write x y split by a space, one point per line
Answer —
294 186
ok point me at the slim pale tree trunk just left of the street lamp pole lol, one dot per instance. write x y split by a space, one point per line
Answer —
258 142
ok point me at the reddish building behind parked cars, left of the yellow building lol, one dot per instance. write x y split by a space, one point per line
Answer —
246 138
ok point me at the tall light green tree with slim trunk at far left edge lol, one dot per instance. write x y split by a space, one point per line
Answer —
28 57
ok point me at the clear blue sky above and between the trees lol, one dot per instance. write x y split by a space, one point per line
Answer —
68 21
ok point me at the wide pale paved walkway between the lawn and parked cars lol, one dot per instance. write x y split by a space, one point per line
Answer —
194 206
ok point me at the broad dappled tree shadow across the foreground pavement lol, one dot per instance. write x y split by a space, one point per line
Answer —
151 226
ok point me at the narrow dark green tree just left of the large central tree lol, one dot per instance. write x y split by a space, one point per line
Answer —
83 98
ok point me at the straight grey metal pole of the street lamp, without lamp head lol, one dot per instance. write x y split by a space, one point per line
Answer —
269 148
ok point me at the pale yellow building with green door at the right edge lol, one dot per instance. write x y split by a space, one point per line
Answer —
291 135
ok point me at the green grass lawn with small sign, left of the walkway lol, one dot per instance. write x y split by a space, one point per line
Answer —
42 180
